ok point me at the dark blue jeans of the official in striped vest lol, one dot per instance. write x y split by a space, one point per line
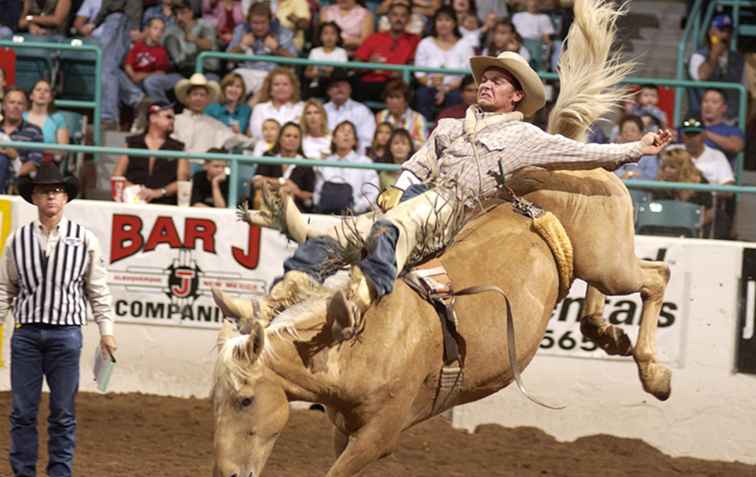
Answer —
52 352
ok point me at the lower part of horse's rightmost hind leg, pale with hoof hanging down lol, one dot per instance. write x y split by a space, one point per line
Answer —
656 378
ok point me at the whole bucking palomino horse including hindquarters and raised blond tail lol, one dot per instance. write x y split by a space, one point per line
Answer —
390 376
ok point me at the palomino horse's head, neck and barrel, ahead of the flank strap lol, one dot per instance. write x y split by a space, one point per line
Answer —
388 378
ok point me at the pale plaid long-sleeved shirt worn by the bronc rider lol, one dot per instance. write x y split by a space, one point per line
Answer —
505 139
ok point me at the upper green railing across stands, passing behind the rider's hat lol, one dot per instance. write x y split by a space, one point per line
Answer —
407 70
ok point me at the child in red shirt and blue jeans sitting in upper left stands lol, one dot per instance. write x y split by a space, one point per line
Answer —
147 65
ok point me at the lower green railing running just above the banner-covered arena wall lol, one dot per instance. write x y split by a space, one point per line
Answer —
235 159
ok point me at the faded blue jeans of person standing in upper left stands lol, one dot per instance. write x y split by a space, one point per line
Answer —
114 41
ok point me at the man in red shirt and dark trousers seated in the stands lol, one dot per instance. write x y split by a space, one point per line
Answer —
394 47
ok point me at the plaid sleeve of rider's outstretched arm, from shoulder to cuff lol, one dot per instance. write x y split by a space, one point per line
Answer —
558 152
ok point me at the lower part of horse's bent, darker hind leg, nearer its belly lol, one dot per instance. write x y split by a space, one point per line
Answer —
612 339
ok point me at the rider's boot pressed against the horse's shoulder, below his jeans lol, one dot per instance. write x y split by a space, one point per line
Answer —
347 307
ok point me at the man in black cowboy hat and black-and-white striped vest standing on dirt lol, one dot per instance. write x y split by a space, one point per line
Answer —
51 268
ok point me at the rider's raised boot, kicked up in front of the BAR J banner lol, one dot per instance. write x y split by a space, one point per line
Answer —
278 211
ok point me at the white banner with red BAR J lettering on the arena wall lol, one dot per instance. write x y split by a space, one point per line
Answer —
163 261
